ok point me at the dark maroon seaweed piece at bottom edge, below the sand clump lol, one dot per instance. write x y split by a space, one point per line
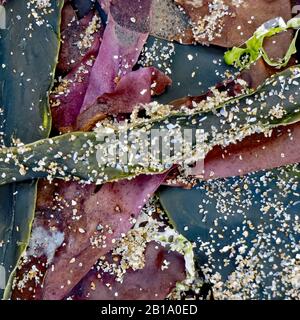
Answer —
153 282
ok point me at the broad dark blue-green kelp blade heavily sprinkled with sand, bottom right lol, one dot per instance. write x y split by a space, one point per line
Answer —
247 232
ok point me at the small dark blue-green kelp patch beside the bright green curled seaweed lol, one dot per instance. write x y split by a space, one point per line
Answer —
192 68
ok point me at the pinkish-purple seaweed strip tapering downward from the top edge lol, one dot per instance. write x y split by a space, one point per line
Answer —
120 49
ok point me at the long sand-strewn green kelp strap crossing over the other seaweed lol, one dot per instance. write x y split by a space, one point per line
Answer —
276 103
